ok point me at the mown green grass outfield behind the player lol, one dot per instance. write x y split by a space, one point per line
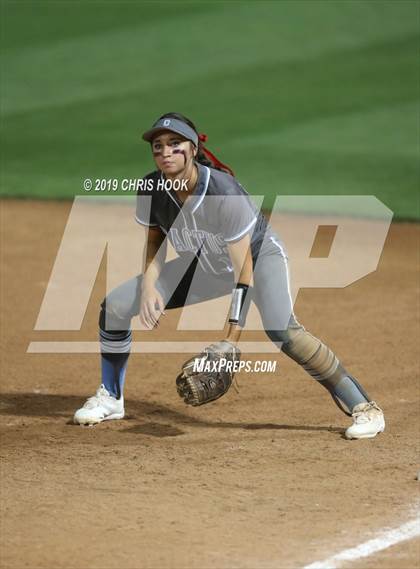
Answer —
300 97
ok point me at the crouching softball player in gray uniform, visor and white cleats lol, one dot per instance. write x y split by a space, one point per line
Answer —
224 246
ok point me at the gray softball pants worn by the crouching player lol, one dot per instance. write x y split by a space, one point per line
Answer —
183 281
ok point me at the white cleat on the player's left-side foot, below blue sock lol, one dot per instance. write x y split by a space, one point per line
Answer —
100 407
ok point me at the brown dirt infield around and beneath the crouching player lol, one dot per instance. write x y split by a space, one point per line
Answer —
262 478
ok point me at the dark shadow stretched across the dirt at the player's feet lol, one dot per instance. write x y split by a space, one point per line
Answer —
160 418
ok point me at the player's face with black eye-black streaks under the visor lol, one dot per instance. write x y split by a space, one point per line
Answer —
172 153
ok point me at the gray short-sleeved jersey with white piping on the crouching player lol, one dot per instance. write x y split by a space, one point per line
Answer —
219 212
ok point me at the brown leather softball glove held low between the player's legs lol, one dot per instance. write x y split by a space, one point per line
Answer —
209 375
